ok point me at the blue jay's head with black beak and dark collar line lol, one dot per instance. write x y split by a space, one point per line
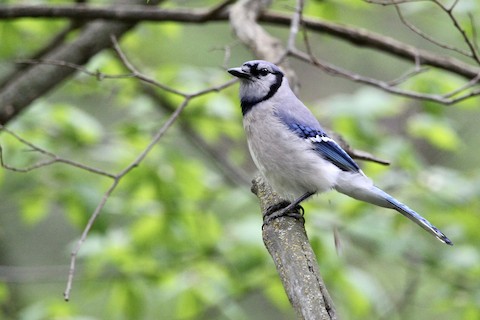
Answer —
259 81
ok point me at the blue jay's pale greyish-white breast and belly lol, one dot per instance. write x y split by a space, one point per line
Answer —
287 161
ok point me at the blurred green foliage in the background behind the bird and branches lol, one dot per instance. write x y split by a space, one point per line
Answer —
178 239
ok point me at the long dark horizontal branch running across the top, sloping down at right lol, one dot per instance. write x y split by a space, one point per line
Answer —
355 35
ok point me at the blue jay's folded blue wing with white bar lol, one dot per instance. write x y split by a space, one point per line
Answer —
326 147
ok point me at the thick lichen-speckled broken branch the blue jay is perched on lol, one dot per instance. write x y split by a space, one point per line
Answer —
288 244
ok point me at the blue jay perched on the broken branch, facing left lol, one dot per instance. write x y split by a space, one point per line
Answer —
293 152
